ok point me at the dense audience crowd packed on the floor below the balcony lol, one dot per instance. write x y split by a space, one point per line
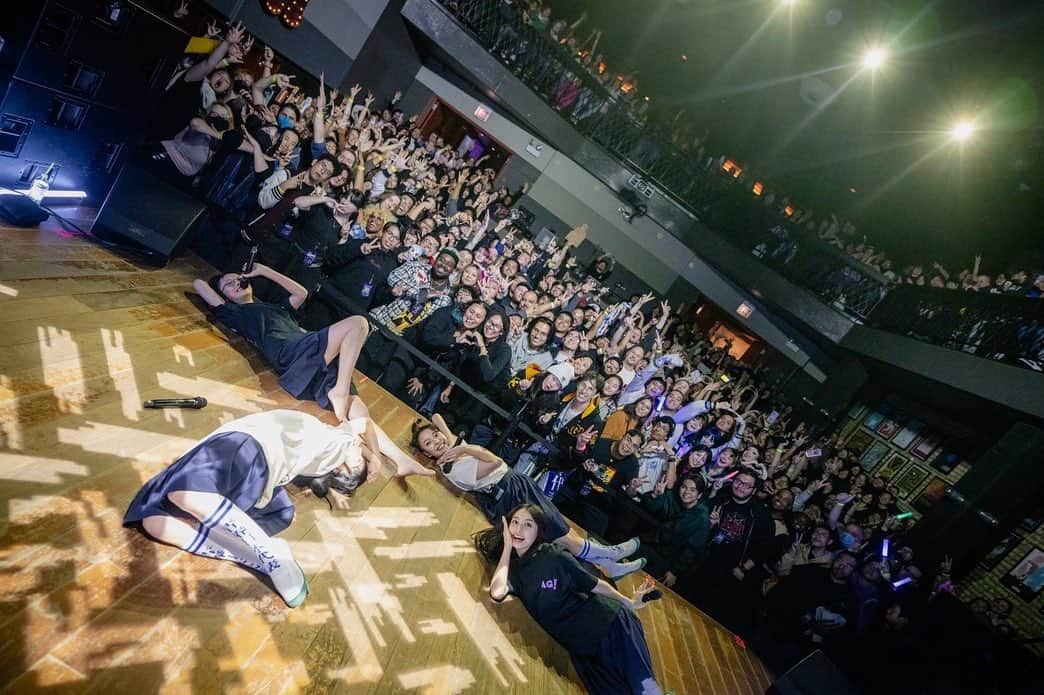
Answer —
648 427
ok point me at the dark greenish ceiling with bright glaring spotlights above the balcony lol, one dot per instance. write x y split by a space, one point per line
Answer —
884 134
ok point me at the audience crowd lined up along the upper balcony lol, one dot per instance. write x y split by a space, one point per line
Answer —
580 83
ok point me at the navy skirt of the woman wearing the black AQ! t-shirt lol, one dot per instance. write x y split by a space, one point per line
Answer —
623 664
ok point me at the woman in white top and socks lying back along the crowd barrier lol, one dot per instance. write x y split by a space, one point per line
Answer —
500 489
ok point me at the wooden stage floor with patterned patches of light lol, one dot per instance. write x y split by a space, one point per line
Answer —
397 602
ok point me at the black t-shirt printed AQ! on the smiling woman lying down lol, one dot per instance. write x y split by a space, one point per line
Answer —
557 592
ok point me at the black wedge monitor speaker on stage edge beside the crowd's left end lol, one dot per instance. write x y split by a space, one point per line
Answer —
147 213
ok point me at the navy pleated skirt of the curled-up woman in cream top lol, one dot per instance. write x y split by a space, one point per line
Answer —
231 465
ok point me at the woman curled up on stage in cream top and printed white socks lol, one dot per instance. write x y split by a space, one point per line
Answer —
226 498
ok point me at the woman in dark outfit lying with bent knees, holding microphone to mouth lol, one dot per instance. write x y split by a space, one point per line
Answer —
312 365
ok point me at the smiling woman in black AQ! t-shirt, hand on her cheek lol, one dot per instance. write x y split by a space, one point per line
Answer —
594 621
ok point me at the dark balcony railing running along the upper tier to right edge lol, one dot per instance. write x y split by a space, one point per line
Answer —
1008 329
